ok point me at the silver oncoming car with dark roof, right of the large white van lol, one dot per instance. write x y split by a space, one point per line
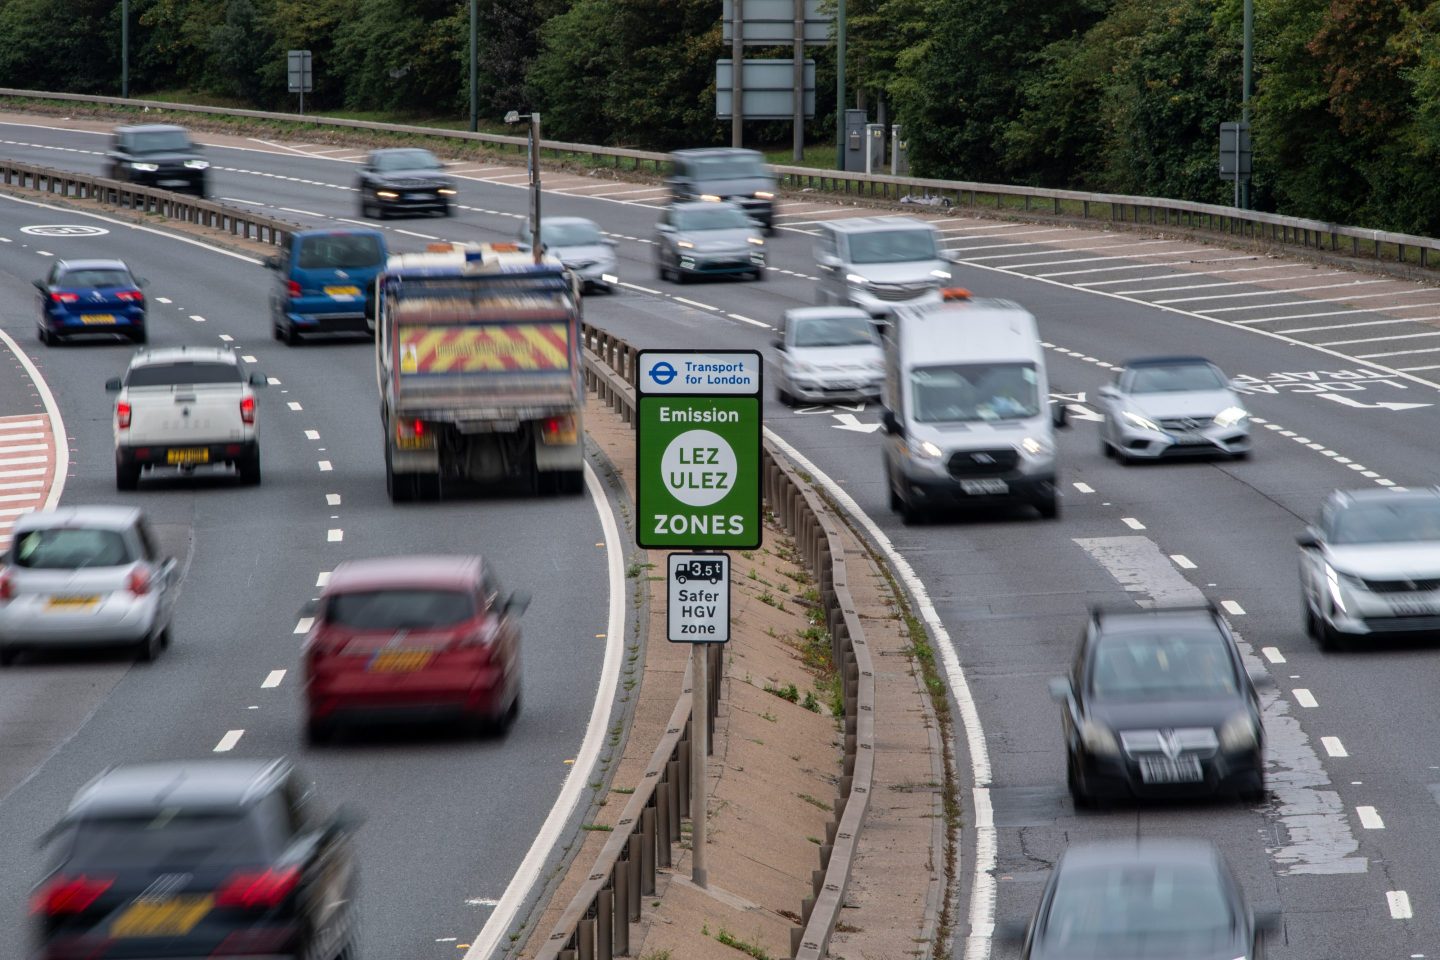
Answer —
1173 407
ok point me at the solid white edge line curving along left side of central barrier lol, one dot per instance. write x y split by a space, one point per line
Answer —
526 876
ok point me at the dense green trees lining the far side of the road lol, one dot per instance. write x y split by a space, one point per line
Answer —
1111 96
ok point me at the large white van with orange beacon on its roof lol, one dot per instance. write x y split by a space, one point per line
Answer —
967 408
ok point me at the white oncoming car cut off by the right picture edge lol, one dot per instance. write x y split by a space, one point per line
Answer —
1372 566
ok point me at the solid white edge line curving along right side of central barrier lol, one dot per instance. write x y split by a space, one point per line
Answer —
983 886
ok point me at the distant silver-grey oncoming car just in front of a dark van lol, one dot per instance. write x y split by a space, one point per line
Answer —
708 240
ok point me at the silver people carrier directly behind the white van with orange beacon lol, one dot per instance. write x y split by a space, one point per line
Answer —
879 264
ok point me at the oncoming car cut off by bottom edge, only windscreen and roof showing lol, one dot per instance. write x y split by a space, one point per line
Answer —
1148 900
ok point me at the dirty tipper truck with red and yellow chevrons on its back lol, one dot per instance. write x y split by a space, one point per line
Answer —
480 372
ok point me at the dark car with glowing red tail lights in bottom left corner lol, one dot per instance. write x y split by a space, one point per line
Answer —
198 860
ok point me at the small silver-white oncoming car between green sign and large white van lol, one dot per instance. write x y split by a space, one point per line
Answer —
829 353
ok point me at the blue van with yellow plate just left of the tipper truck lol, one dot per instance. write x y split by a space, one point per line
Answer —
326 283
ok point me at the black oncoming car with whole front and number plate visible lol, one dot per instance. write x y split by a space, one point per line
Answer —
1160 705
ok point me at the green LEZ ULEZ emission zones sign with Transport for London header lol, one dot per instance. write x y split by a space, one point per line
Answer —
699 454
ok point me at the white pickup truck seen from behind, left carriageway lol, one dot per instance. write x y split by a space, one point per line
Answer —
185 408
